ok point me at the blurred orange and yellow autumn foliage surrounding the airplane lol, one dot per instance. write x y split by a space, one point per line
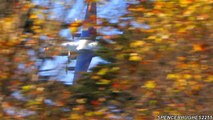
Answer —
160 66
